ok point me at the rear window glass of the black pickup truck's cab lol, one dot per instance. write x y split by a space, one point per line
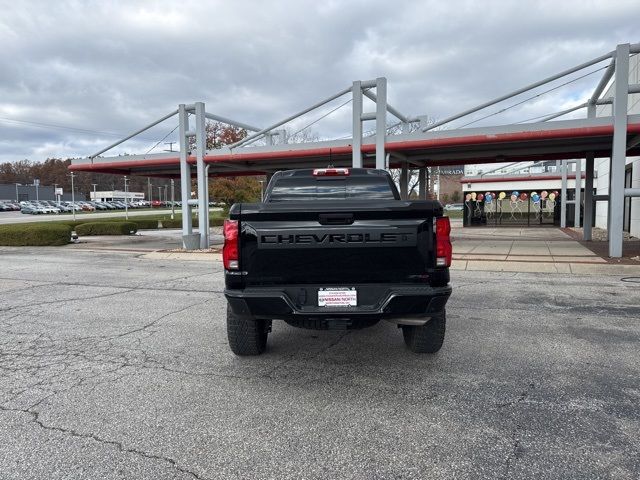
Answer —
351 188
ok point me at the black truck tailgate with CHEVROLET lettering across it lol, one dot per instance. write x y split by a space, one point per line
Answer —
298 243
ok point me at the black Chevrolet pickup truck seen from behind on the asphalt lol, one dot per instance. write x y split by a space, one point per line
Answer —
336 248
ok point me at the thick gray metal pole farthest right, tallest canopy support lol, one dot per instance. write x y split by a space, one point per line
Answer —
619 151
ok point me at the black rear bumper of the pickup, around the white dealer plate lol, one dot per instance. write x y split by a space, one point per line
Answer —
375 302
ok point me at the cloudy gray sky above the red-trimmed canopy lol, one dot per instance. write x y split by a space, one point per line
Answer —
75 75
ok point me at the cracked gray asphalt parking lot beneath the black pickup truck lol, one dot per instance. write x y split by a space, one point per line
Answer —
115 366
